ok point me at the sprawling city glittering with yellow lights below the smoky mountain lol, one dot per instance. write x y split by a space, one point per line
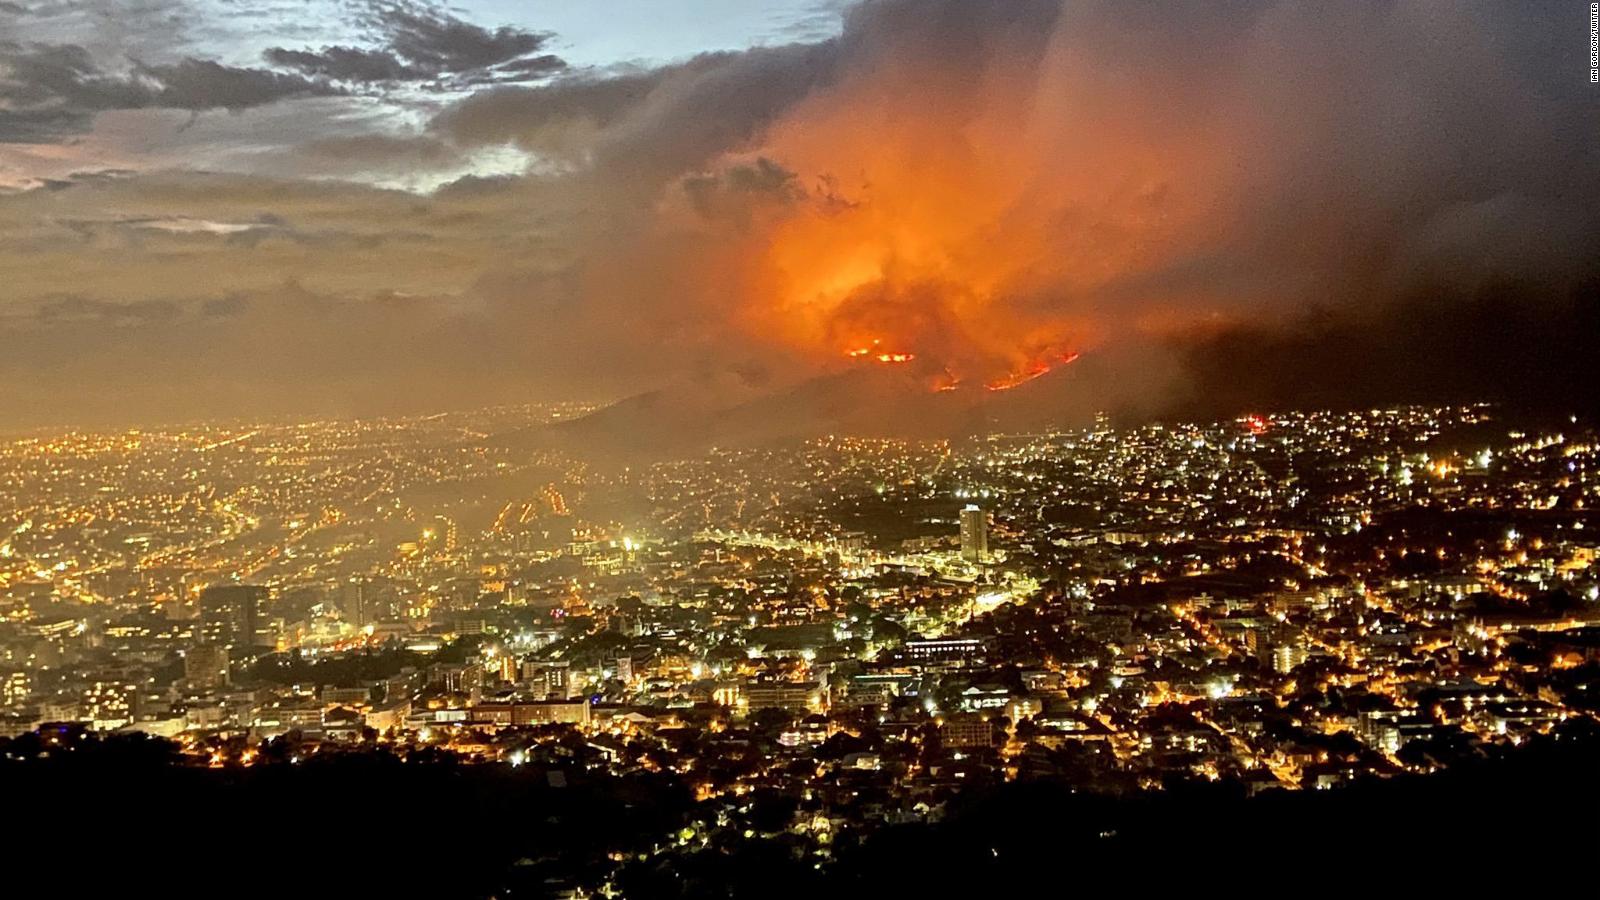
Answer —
820 640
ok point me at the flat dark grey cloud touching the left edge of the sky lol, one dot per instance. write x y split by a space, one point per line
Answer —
49 92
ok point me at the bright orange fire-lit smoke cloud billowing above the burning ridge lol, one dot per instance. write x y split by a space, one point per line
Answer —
977 228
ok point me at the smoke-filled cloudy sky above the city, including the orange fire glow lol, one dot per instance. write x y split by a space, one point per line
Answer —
1226 206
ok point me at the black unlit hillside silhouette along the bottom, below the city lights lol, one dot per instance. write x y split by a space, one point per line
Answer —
126 816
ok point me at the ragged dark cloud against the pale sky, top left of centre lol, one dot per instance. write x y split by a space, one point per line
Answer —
418 42
